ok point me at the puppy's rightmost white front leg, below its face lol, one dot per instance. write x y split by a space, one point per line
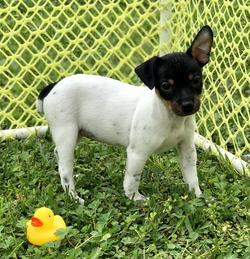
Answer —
188 158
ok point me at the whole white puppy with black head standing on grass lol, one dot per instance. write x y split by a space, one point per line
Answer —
146 120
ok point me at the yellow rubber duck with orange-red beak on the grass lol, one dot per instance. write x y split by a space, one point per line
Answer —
42 226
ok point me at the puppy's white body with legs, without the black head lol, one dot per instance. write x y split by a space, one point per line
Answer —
116 113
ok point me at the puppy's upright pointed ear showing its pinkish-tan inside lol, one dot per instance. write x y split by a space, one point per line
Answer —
201 46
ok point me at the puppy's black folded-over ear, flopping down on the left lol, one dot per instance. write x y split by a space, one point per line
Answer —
146 71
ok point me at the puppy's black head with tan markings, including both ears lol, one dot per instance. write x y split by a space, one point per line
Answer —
177 77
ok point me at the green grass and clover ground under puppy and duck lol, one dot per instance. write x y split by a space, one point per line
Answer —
171 224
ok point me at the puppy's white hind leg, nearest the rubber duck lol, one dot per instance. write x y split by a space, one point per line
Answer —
66 142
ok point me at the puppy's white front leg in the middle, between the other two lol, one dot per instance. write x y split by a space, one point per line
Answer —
134 167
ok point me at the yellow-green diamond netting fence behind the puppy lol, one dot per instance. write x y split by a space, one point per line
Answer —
43 41
